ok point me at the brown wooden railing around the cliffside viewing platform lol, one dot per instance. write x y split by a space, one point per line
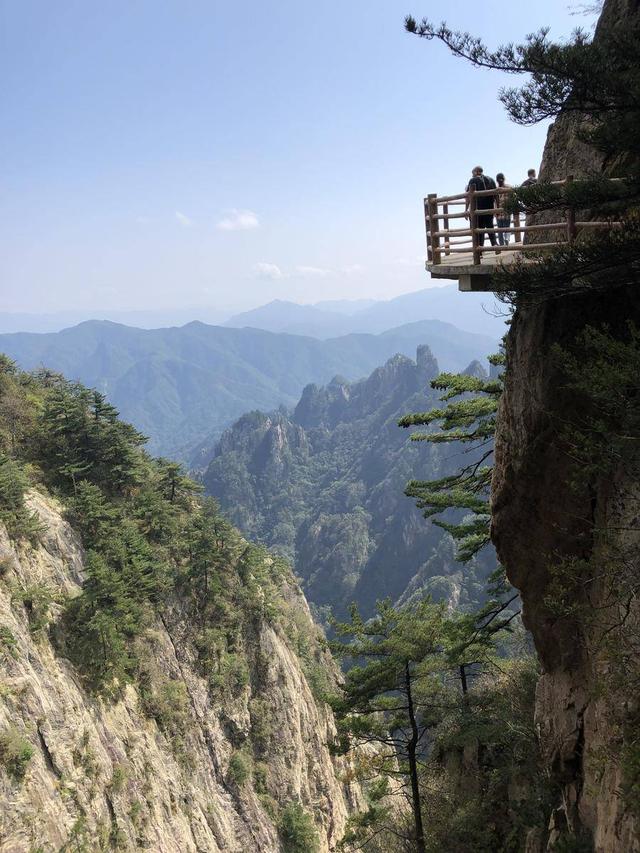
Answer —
442 240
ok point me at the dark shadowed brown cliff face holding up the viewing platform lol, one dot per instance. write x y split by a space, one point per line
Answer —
542 520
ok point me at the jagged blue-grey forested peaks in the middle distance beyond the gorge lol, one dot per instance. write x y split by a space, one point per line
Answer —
324 485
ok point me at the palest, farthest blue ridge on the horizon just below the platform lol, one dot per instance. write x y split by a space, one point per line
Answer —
473 312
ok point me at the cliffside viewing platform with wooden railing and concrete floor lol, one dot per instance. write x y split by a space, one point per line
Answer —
459 253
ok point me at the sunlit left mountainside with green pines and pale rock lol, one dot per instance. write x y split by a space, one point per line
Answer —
162 680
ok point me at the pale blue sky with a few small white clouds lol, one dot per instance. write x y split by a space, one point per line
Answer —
204 155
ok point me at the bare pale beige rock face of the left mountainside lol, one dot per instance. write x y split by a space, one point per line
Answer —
105 775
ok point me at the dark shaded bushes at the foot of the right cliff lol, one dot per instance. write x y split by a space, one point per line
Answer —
484 784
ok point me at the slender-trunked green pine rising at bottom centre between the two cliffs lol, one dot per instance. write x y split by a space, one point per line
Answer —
412 668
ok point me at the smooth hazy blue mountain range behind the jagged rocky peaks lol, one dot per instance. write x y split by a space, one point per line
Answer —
183 385
